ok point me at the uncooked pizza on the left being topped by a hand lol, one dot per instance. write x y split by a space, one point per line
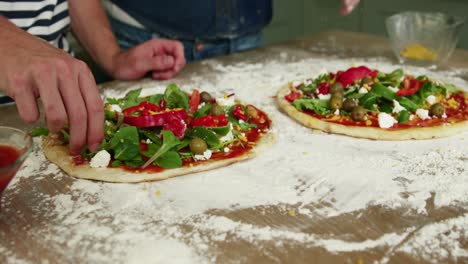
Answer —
165 135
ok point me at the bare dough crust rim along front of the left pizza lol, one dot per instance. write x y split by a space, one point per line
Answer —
59 155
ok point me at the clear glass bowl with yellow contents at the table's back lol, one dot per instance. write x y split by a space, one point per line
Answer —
423 38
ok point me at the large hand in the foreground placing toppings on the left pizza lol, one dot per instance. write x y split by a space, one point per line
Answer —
32 68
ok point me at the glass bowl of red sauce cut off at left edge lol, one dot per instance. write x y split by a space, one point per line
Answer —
15 146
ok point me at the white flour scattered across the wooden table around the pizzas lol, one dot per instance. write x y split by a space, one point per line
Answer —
168 221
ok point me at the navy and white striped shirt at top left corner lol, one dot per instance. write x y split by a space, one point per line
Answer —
47 19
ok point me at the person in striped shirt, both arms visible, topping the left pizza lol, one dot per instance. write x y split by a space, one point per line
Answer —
36 63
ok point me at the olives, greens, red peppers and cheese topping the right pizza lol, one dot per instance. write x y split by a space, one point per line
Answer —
367 93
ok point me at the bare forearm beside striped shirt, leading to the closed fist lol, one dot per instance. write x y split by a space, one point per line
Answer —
91 26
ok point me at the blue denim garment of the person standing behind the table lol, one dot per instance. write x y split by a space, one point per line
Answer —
129 36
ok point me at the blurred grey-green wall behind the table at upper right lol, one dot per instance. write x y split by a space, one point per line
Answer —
296 18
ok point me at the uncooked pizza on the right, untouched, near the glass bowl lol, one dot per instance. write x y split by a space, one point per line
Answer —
368 103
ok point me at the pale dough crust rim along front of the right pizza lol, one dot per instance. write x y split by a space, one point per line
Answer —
444 130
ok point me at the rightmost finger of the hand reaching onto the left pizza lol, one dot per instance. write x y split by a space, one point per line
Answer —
94 108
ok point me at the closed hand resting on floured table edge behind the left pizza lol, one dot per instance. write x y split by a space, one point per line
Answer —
163 58
